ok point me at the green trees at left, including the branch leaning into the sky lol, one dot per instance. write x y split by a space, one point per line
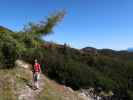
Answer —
14 45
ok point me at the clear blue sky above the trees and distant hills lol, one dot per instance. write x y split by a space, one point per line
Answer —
93 23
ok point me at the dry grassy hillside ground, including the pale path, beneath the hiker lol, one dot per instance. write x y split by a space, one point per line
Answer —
16 84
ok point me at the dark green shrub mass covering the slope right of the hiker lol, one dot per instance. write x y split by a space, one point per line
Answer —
70 67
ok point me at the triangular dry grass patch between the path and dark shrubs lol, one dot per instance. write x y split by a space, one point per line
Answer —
54 91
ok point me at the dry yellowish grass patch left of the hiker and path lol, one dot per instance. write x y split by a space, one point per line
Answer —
11 82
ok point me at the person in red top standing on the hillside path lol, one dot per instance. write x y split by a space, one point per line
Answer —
36 76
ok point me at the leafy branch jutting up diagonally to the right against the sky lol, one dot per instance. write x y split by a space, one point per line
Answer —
44 27
